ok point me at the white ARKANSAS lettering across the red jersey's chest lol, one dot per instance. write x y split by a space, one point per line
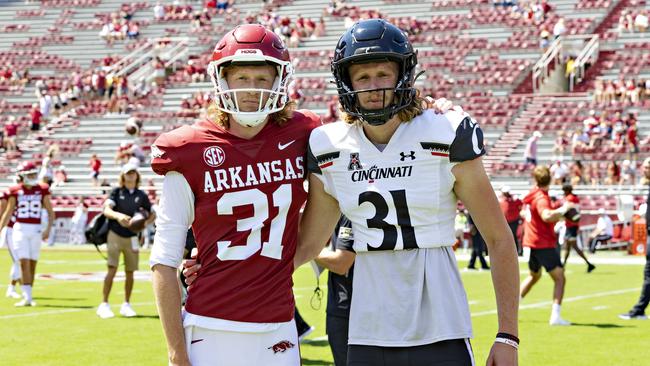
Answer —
252 175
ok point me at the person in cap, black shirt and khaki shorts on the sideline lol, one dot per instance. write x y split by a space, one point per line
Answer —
124 202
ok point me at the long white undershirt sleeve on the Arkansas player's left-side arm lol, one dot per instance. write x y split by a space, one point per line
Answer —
174 216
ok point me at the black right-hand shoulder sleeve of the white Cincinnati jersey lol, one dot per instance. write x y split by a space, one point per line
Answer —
468 142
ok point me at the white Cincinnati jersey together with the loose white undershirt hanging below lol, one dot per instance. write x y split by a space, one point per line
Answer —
407 289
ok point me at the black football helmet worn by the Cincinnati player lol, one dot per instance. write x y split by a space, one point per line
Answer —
374 40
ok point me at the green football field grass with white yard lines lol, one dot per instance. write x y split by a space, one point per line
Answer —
64 330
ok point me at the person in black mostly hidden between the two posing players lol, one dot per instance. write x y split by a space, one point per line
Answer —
339 260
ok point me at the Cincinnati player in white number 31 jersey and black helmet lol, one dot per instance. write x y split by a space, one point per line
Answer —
396 172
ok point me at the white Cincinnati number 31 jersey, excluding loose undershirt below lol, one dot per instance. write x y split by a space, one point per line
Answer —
401 197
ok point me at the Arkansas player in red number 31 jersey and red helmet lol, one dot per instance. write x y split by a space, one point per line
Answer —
237 178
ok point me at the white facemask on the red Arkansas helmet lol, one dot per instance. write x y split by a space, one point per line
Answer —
226 98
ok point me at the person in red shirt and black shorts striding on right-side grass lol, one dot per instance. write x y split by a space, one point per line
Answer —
539 235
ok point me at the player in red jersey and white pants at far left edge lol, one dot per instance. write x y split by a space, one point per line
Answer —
28 198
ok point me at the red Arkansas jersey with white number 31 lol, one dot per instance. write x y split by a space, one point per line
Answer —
247 200
